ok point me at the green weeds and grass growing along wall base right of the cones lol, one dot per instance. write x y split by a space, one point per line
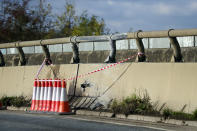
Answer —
137 104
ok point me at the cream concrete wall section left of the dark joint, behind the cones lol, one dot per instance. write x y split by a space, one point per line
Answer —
16 81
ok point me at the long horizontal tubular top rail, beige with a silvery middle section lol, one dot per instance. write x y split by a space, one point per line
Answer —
75 39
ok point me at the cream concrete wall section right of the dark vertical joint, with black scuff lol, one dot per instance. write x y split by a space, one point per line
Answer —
170 83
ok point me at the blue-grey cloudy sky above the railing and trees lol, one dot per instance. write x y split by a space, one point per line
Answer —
147 15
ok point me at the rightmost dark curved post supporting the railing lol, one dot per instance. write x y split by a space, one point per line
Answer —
176 48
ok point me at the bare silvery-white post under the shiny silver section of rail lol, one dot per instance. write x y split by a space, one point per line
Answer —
112 56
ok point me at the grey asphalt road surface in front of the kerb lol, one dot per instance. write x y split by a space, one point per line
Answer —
20 121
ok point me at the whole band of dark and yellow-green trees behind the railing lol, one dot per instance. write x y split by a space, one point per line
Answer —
20 20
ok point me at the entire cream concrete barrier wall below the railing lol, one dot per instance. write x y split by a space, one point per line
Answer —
172 83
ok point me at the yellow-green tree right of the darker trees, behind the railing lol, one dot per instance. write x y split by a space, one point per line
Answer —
83 25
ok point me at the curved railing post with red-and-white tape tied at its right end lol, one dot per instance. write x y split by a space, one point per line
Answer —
141 51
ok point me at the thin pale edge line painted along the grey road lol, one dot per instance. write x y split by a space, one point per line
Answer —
118 123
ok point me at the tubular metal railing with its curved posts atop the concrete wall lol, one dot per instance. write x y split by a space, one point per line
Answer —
138 36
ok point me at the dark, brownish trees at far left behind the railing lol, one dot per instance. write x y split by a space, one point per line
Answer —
19 22
